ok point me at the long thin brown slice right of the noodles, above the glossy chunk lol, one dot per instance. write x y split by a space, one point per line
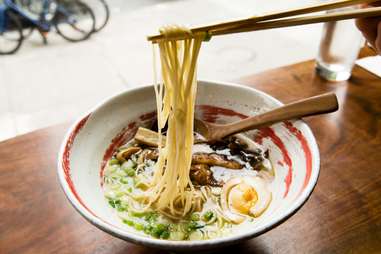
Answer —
215 160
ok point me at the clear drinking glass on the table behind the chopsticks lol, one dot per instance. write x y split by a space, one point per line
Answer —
339 47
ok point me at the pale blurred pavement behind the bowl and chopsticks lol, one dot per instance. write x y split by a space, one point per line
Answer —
43 85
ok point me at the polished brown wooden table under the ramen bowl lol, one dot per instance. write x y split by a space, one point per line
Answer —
343 214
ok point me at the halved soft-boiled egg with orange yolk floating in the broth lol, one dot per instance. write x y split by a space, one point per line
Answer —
248 196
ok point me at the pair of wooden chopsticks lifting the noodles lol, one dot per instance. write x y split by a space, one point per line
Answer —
285 18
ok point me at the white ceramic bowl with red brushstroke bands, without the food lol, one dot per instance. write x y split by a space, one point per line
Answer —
92 139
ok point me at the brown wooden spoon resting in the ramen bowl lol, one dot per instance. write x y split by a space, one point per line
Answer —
316 105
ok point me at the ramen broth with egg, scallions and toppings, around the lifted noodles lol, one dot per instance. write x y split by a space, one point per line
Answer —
230 178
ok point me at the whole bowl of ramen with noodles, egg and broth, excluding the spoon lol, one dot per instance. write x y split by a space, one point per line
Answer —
129 171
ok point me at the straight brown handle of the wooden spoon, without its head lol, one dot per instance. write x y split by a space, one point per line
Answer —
316 105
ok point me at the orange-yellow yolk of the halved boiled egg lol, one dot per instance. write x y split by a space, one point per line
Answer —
243 197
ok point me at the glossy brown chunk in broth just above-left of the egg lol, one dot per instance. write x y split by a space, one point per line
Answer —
201 174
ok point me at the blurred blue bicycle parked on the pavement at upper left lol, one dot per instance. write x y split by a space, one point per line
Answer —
72 19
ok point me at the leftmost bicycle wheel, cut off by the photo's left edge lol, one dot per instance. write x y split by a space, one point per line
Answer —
11 38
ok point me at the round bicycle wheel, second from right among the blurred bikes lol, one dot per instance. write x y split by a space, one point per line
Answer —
74 20
